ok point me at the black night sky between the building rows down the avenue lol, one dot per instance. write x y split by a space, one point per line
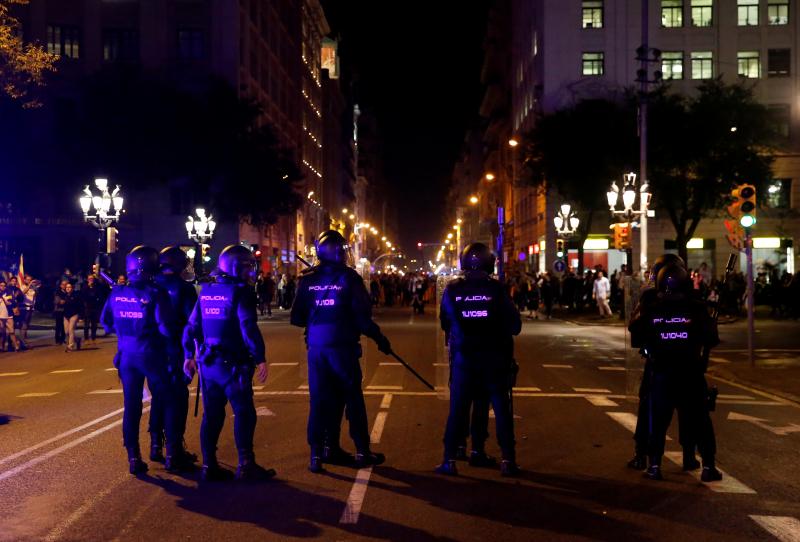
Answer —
418 67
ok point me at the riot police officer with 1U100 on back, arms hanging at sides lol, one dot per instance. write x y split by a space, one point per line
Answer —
231 349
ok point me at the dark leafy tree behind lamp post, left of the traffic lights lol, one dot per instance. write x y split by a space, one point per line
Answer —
578 151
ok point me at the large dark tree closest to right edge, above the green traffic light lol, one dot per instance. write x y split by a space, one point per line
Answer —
701 147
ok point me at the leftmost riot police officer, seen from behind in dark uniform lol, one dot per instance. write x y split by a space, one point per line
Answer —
141 316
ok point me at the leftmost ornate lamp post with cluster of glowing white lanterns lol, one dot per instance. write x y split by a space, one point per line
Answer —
102 211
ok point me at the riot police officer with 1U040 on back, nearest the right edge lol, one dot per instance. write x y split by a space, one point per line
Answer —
675 328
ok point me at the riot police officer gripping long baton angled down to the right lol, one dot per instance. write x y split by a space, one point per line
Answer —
333 305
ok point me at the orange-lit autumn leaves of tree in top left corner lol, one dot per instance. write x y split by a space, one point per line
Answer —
22 66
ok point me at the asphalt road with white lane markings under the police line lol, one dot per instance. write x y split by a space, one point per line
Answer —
63 473
